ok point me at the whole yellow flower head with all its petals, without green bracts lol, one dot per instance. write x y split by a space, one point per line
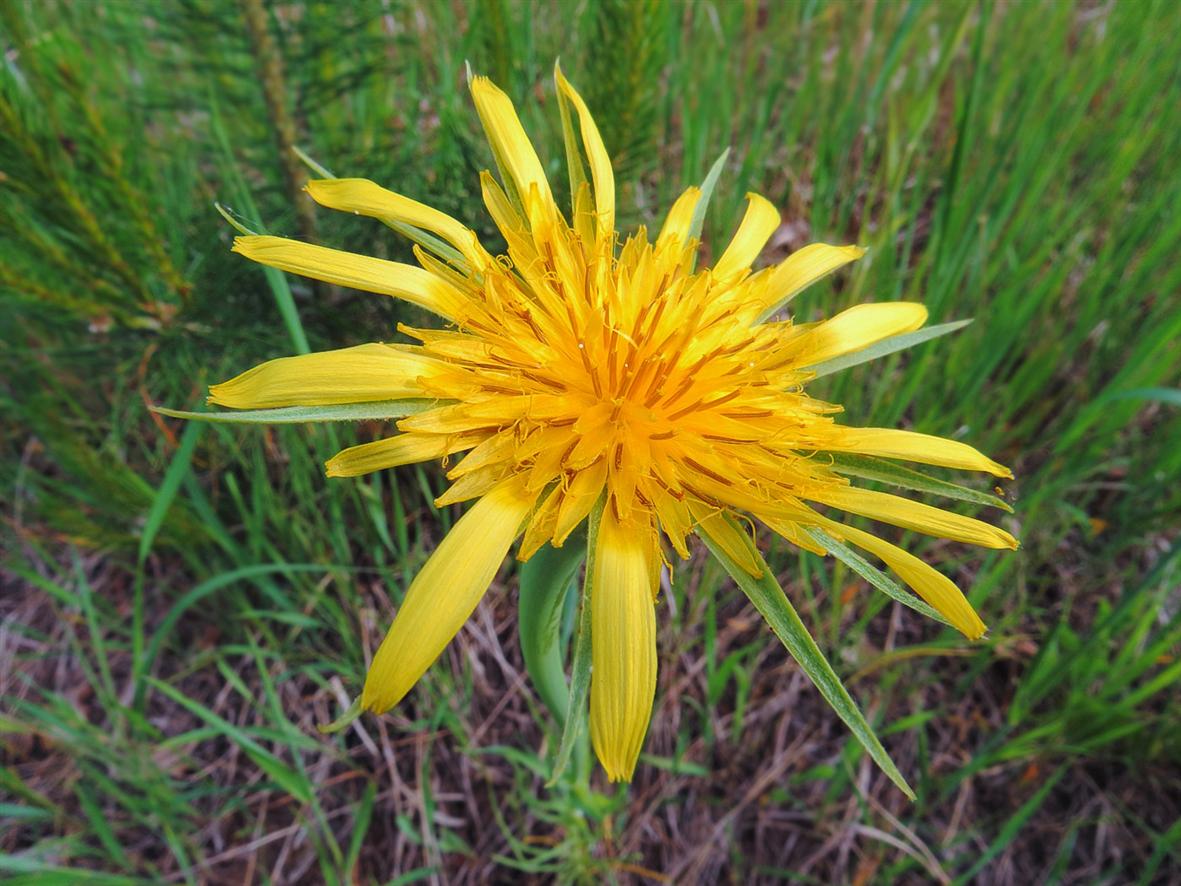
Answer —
576 370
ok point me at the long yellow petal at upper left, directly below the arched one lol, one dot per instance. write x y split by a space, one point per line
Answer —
360 272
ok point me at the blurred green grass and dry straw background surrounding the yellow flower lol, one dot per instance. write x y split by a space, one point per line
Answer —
184 604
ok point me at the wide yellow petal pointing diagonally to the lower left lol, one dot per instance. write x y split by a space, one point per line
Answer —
445 594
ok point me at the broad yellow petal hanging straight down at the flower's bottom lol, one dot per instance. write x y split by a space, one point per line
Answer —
623 646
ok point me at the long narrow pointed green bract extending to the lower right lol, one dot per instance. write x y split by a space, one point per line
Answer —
781 616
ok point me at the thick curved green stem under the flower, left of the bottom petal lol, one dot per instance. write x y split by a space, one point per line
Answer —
546 581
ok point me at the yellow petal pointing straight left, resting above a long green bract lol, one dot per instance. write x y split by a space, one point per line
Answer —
351 375
